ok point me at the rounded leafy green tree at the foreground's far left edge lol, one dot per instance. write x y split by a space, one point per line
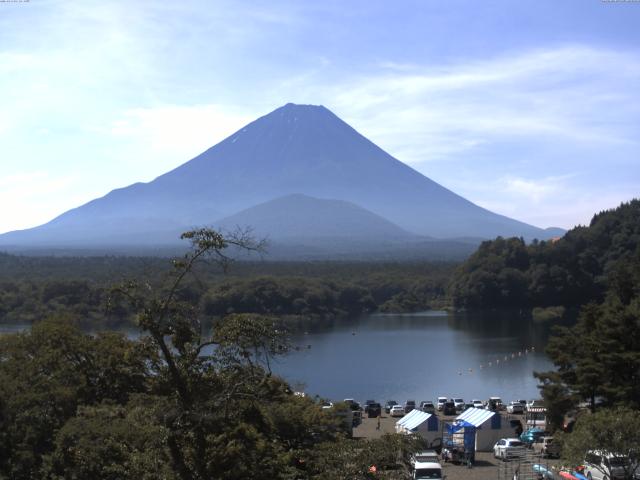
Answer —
47 373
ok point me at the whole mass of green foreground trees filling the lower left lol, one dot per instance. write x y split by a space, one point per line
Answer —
75 405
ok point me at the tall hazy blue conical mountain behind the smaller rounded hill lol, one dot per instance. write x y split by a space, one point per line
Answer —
296 149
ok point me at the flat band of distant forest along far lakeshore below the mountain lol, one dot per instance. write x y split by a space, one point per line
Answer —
32 288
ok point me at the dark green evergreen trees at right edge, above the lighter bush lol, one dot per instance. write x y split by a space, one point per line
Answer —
598 359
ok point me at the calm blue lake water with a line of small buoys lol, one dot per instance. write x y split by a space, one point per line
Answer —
419 356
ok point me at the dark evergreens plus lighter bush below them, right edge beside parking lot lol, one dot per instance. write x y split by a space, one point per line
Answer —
597 363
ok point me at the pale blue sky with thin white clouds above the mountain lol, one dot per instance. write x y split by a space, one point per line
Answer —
528 108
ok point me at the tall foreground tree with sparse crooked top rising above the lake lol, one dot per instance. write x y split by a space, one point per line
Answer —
224 415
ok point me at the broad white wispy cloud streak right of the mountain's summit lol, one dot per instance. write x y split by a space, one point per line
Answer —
573 93
